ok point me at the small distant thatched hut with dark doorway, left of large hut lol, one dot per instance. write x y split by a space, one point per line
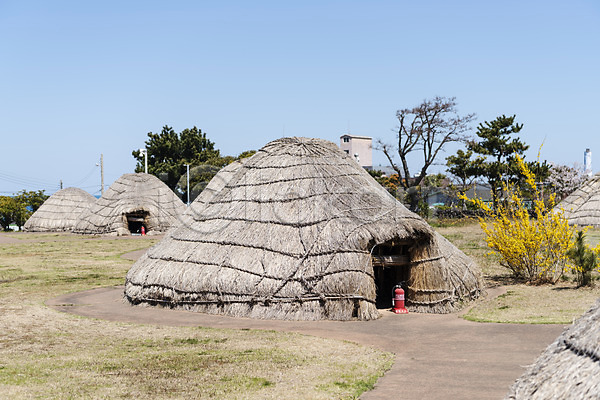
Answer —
133 201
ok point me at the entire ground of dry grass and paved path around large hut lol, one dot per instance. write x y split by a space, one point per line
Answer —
129 351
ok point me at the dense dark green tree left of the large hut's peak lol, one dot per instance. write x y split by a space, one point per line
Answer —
169 152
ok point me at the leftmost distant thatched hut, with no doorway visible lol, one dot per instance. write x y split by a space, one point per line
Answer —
60 211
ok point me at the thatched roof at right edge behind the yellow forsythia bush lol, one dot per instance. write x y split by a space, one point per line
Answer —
582 207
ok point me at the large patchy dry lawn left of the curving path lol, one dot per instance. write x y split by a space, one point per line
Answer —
48 354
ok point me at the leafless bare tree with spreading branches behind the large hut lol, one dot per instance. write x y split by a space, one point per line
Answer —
427 128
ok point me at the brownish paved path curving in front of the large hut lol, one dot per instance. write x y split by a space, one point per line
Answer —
437 356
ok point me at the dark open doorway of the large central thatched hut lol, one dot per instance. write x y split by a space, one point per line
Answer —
391 267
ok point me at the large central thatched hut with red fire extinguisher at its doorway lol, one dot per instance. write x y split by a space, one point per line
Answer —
301 231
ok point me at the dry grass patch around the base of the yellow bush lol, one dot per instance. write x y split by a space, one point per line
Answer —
558 304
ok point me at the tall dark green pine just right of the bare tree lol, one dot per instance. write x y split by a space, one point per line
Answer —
499 148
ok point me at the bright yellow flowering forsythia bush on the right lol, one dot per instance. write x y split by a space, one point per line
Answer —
534 249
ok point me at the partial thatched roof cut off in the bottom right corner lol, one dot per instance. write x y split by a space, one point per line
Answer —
569 368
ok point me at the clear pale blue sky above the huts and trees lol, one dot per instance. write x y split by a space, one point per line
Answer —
79 79
